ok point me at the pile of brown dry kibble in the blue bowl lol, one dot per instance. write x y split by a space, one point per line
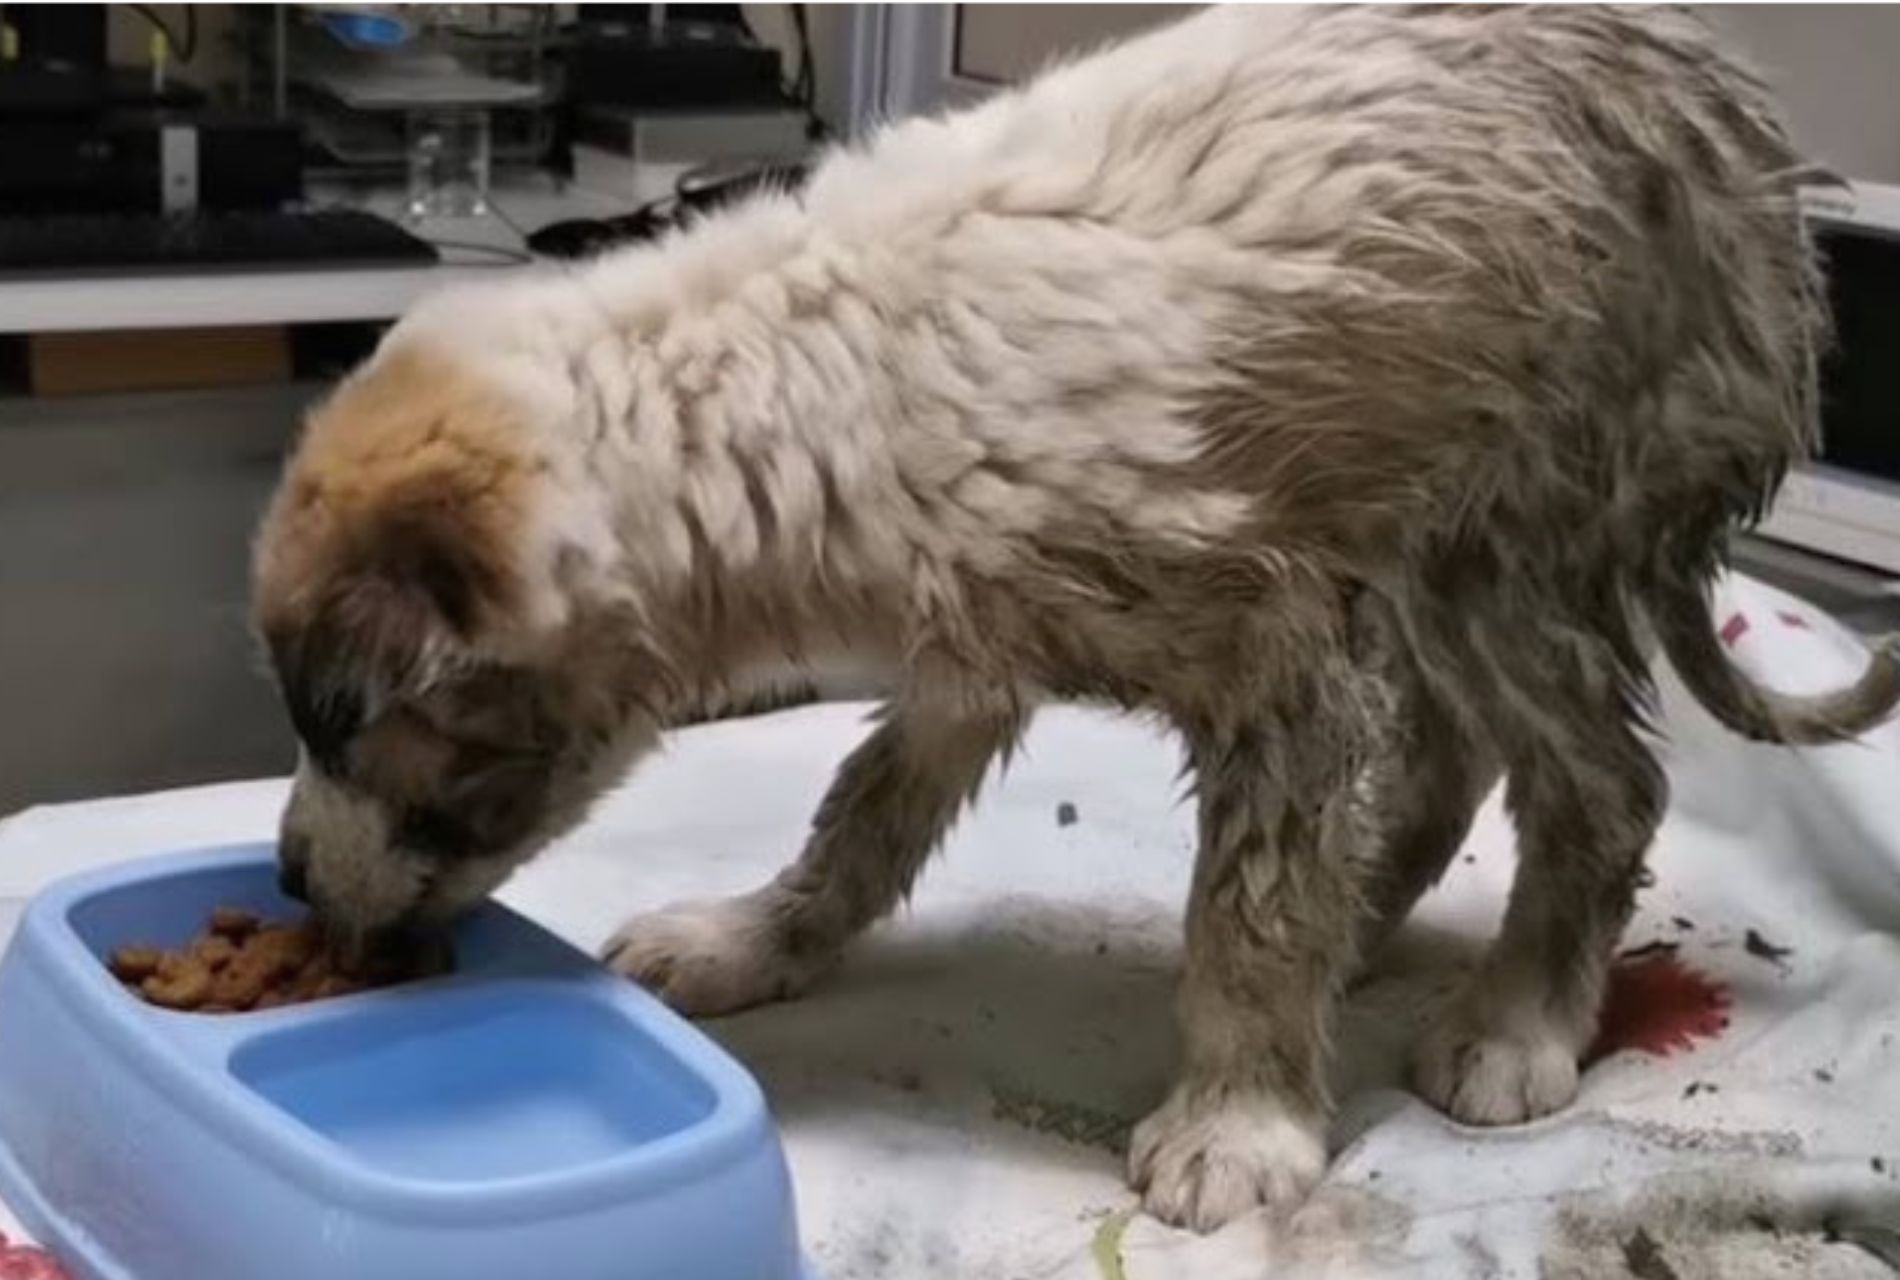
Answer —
240 964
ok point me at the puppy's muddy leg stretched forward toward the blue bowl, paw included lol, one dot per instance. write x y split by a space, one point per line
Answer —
883 818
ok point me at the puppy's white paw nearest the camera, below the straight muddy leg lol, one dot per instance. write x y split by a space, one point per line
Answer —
1209 1156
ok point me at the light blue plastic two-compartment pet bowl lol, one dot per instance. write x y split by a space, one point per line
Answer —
529 1118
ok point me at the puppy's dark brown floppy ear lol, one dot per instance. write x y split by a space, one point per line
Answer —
402 593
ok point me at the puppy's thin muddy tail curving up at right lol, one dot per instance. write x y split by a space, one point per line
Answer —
1688 635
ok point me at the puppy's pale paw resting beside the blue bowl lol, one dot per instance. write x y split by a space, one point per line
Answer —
713 958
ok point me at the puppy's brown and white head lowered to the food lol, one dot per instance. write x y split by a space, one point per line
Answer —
455 707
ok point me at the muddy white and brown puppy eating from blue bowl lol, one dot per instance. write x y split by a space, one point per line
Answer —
1365 396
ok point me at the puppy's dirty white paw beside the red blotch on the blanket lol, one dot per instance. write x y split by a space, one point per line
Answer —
1500 1070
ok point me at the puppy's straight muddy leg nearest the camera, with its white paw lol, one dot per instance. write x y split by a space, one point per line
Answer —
1272 922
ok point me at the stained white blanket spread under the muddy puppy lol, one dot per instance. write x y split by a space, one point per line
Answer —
955 1097
